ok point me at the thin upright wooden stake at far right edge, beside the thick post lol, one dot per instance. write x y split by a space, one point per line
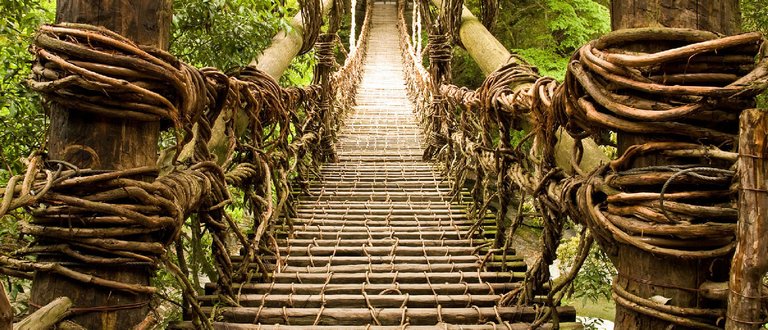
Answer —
750 262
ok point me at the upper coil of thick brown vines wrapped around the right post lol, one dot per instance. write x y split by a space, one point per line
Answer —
693 92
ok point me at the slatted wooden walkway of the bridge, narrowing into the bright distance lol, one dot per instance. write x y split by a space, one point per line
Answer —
378 244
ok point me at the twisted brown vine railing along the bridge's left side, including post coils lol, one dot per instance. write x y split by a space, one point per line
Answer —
97 218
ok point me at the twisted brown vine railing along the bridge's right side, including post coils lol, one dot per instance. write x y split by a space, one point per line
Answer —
685 99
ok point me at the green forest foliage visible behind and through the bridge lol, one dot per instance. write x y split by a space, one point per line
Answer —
229 33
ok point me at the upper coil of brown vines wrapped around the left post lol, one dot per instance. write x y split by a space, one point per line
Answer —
92 69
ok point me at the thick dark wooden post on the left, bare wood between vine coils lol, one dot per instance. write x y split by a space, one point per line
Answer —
99 143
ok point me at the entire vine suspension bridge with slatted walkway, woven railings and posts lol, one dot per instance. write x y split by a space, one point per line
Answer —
382 196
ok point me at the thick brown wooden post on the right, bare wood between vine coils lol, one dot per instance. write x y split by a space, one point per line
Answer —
672 278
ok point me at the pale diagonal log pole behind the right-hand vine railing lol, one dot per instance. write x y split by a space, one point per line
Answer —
490 54
